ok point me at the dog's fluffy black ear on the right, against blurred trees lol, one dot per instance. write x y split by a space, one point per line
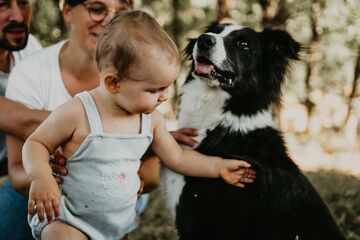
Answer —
280 45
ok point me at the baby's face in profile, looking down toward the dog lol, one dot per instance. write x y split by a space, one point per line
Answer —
148 83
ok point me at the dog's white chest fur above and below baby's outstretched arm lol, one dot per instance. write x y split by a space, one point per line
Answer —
200 108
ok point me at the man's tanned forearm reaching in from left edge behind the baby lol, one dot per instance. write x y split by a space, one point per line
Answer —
18 120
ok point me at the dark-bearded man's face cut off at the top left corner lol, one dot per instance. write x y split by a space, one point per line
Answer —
14 24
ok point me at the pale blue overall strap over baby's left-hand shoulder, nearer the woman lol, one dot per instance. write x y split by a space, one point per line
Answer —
92 112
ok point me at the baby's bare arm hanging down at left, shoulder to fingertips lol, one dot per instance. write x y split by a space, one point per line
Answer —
52 133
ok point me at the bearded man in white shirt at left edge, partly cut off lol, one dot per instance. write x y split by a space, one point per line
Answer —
15 44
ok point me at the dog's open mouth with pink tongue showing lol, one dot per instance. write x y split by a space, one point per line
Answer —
206 69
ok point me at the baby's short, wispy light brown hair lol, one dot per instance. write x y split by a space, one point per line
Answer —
126 37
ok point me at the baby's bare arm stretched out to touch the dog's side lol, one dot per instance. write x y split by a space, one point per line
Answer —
192 163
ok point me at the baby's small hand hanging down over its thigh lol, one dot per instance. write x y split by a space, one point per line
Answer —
45 195
